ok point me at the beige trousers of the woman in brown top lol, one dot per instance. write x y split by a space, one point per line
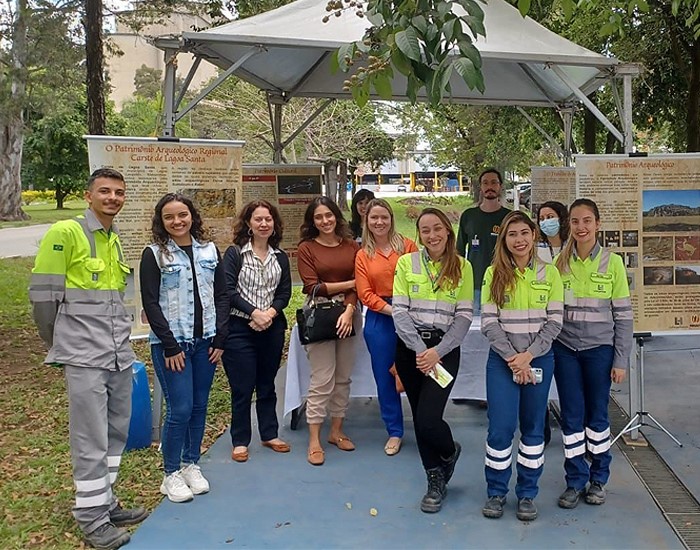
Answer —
331 364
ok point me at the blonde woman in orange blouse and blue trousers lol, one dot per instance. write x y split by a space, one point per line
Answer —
374 279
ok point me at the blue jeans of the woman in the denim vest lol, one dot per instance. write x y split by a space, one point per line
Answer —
186 397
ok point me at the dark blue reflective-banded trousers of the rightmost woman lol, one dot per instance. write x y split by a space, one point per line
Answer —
583 382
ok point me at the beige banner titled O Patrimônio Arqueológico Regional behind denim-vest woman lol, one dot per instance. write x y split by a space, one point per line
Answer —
207 171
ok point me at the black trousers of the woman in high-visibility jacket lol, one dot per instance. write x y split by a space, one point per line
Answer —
428 401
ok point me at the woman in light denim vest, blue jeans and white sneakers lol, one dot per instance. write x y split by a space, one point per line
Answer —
183 291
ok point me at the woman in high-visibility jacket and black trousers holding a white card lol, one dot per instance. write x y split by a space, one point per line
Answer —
432 309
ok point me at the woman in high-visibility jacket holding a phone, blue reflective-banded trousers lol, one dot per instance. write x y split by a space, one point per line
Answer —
521 315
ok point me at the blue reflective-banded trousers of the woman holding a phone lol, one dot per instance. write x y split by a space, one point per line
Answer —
511 404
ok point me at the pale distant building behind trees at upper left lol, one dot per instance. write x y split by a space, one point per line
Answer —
137 51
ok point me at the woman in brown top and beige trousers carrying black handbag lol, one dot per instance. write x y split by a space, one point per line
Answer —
326 260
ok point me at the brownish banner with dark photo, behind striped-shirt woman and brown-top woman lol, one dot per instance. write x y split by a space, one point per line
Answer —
293 187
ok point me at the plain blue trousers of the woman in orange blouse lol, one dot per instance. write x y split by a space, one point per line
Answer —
380 336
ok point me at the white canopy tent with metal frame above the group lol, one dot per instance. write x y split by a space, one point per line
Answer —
286 52
